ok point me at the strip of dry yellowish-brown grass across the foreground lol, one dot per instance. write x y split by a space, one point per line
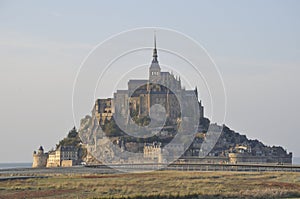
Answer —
158 184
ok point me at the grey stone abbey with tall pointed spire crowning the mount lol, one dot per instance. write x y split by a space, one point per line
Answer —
161 88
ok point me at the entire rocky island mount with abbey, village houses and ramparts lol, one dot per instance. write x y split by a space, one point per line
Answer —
126 129
